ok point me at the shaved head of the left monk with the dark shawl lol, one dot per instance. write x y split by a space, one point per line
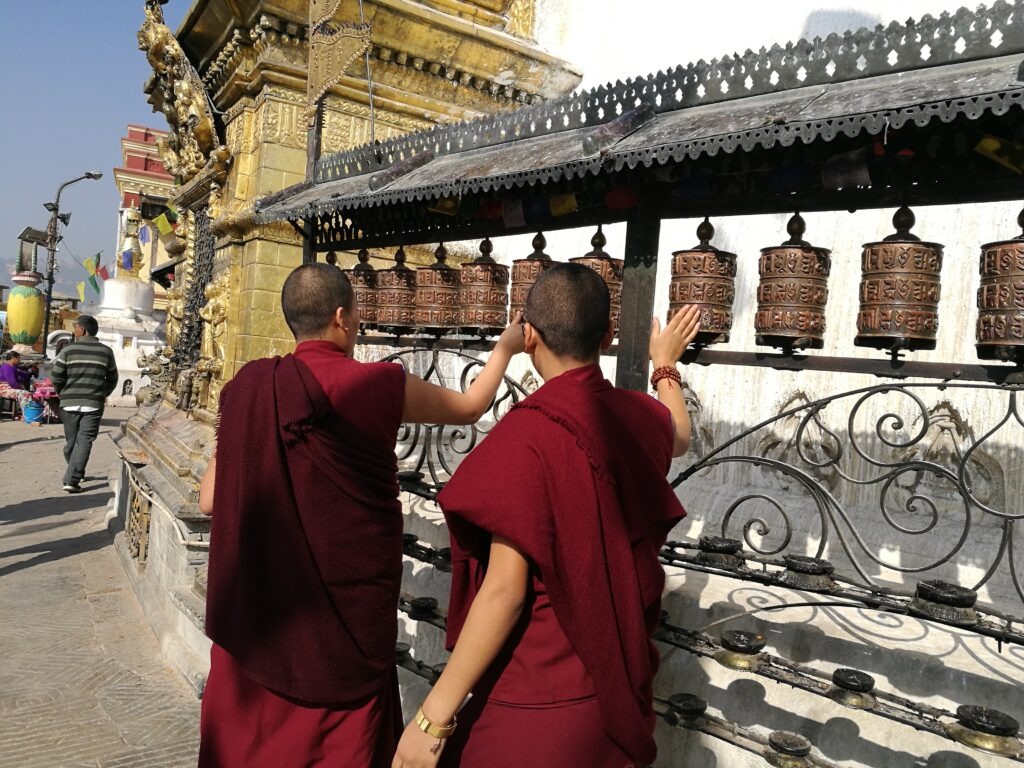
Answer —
312 295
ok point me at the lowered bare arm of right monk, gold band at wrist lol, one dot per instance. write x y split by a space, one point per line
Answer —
491 620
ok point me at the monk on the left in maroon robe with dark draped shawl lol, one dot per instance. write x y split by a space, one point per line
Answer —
306 549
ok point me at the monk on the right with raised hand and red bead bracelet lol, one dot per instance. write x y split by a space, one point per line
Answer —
557 523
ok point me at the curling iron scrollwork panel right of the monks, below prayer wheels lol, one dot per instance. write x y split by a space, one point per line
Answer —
922 468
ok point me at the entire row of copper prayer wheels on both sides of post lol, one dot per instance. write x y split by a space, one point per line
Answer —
900 291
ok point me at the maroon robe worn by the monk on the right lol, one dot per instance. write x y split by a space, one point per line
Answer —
575 477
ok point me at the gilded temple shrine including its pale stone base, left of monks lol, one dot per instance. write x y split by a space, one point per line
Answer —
232 86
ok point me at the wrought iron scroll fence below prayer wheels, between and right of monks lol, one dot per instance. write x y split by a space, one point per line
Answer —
903 491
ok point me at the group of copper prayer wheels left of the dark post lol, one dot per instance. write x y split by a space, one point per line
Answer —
474 300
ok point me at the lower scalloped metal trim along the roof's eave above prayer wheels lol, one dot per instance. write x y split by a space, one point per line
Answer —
784 136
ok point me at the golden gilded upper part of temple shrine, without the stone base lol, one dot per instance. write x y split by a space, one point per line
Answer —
232 86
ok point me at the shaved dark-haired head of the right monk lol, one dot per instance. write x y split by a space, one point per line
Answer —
570 308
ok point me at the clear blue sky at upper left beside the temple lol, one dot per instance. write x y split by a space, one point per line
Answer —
71 80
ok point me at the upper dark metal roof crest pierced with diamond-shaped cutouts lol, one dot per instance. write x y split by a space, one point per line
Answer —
959 37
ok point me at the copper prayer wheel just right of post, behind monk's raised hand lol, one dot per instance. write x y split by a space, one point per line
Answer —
706 277
